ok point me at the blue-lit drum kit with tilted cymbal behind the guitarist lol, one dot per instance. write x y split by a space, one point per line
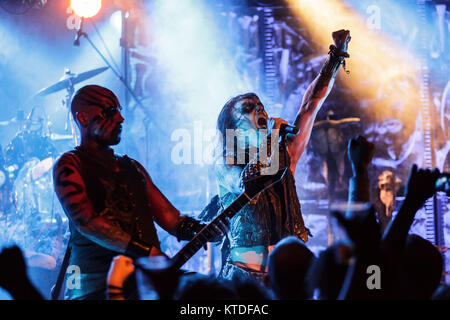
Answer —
30 213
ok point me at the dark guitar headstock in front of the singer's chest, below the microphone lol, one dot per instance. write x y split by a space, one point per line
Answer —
258 176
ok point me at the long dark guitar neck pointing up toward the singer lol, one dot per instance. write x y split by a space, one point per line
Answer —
208 232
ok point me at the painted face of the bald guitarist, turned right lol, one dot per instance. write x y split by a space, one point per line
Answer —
105 125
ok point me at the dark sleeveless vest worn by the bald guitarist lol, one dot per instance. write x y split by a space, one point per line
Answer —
119 197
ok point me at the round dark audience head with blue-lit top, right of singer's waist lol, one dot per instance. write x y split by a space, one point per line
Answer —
289 262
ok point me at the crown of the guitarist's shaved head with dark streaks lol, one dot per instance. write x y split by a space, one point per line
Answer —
91 95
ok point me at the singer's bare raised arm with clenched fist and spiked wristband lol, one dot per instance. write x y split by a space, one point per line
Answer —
315 96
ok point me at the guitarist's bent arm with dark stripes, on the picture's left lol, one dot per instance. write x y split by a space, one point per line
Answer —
71 192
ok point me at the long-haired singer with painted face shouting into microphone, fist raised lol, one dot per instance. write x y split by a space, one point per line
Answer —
275 213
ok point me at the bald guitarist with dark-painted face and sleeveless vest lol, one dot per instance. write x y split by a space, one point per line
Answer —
110 200
